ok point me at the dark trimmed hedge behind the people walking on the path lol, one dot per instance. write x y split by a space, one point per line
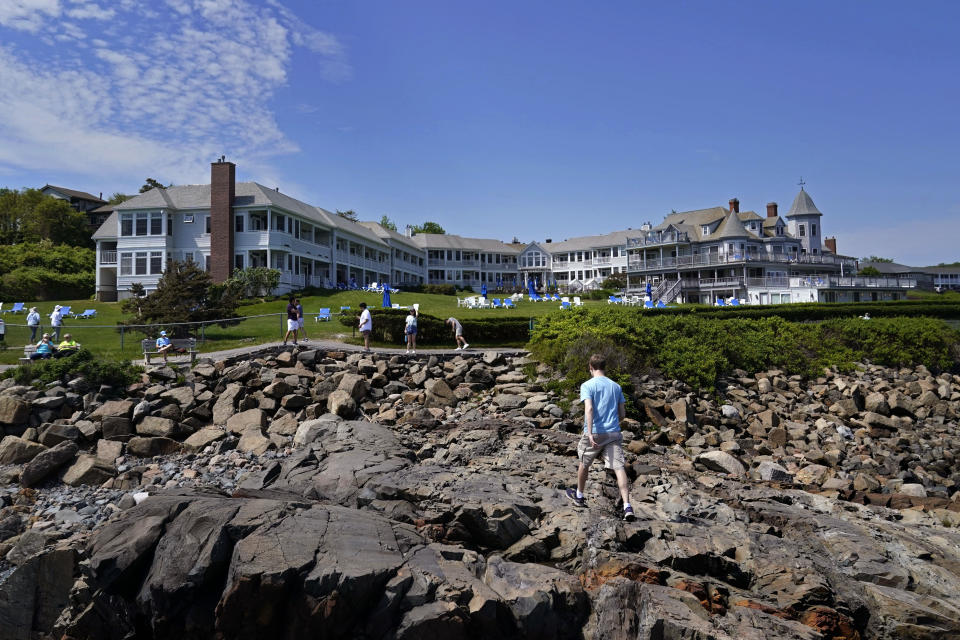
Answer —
389 326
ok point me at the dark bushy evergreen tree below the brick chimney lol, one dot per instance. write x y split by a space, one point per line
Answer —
185 293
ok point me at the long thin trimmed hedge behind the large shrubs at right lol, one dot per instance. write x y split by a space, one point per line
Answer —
808 311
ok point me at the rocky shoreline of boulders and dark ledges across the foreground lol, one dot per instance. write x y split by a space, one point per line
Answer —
374 496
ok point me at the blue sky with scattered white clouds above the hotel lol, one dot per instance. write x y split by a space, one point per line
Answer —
500 119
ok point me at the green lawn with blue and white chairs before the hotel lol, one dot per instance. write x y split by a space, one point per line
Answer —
99 334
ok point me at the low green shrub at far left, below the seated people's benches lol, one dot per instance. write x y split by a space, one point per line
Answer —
96 371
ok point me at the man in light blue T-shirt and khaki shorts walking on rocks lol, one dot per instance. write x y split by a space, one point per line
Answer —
604 408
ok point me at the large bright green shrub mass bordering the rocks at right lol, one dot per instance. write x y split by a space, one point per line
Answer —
699 349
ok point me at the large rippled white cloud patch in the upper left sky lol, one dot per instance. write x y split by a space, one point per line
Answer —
149 97
